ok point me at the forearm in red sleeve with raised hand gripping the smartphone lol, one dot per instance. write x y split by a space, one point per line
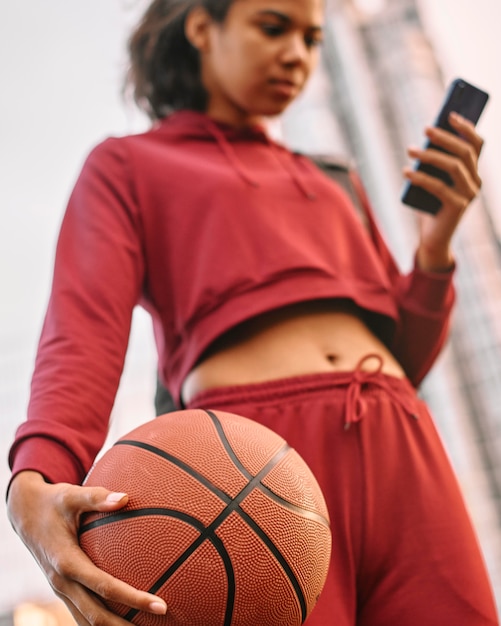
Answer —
426 295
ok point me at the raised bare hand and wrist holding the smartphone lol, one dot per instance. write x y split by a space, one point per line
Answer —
434 252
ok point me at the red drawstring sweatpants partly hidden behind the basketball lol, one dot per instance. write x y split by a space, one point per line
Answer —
404 552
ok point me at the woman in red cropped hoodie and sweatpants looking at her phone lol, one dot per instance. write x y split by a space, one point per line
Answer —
269 298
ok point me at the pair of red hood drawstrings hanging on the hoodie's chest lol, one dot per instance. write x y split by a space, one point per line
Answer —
229 152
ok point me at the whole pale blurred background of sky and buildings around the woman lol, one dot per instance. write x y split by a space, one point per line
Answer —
383 74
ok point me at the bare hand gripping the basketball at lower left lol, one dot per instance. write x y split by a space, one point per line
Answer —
46 517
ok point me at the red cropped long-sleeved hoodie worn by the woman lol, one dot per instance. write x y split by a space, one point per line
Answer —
205 226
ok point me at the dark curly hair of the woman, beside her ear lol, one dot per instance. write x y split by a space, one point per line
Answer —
164 71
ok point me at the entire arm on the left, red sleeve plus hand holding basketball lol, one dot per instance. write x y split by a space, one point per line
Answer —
98 277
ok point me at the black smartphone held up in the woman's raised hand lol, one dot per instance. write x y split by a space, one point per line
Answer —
465 99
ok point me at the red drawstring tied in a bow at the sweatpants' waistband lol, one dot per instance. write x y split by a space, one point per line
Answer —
356 405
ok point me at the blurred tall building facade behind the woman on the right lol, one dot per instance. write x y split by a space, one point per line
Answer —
378 86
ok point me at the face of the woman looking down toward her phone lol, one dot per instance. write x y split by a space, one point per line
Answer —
258 60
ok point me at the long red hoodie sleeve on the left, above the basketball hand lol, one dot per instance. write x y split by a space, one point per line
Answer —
98 279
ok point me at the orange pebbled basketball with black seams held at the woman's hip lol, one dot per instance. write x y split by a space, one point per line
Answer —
225 522
